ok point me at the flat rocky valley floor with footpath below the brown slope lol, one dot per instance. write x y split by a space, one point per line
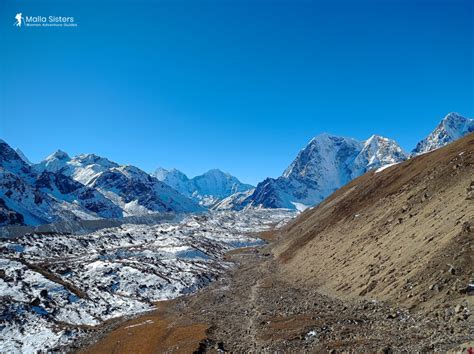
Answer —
253 309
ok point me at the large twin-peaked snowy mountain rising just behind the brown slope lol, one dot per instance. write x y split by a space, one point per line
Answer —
325 164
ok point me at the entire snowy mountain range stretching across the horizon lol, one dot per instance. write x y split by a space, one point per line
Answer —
88 186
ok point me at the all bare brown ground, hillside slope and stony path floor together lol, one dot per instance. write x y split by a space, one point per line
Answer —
382 265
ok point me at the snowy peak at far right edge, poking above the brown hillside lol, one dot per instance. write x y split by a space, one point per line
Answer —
452 127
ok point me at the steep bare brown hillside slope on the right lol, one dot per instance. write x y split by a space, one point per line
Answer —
404 234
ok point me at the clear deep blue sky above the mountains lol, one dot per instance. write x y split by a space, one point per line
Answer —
238 85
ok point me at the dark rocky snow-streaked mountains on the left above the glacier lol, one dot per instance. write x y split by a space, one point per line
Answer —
62 188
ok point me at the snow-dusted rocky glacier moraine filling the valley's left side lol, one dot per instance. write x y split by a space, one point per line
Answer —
51 285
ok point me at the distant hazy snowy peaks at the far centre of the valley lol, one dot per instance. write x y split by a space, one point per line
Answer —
207 189
